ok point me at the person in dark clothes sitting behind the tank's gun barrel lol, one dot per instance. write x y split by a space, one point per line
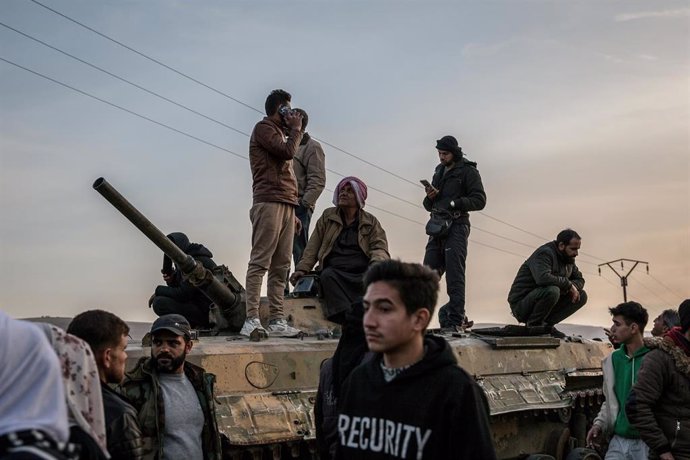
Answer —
179 296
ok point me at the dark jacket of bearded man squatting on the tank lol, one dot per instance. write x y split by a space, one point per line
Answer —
545 267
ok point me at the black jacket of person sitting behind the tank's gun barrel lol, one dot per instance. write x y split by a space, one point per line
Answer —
181 290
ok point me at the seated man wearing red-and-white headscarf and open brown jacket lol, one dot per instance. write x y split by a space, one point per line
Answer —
345 241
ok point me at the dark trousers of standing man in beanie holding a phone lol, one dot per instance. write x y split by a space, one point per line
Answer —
448 256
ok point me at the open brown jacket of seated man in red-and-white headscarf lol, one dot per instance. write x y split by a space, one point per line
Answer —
372 239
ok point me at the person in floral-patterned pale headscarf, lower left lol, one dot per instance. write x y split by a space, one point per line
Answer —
82 391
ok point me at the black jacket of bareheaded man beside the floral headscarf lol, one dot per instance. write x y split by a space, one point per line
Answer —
122 427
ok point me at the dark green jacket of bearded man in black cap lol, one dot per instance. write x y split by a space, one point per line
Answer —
142 388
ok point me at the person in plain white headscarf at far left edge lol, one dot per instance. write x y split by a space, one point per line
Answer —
33 409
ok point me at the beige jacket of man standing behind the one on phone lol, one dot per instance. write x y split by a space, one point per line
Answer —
310 170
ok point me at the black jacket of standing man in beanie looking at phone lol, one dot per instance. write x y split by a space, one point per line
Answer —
462 185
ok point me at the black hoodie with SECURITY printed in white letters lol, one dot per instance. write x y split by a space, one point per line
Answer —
432 410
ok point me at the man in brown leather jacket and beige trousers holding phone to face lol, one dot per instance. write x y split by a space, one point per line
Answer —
273 211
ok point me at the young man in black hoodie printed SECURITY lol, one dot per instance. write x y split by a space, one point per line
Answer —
411 400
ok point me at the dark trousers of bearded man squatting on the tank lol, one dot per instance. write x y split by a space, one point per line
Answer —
546 306
